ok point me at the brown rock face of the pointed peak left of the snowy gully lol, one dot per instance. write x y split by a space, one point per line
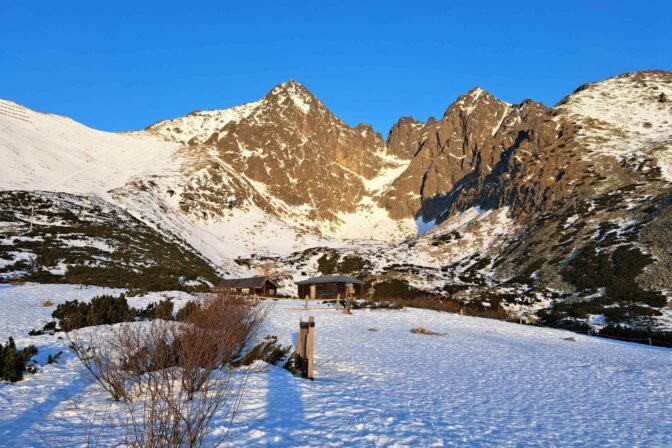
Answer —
301 152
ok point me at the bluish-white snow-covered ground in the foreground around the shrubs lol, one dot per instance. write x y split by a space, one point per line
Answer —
486 383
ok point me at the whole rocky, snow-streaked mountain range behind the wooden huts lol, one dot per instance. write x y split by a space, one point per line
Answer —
513 206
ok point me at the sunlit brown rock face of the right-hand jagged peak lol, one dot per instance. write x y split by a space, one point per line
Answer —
461 148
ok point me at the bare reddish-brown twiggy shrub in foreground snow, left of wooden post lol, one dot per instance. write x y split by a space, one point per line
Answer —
175 376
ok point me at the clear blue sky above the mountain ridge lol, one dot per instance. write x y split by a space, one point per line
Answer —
122 65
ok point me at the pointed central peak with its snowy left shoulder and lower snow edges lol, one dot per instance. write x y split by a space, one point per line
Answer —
305 163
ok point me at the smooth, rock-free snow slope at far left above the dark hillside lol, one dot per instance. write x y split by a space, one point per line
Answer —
50 152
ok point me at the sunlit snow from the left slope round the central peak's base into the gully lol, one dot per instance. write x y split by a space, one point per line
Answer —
53 153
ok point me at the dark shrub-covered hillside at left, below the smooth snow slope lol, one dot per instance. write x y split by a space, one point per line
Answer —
61 237
